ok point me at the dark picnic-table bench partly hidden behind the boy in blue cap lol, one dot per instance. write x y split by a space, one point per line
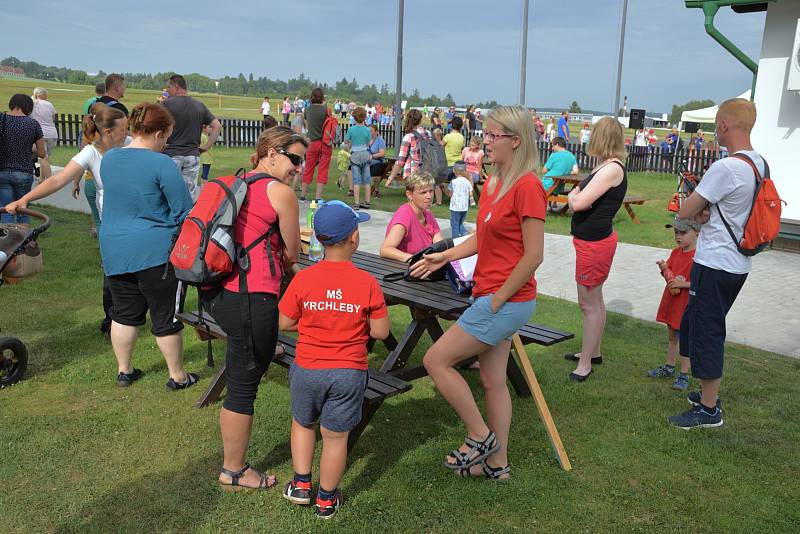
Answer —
380 386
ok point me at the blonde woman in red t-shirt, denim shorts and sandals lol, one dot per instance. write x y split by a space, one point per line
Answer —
510 244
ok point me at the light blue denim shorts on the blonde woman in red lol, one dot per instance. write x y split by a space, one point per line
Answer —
491 328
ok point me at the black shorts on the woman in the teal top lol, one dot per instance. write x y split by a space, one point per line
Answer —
133 294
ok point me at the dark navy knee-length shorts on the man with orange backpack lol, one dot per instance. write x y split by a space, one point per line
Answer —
702 334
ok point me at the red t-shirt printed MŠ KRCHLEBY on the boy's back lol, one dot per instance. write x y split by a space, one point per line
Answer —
332 302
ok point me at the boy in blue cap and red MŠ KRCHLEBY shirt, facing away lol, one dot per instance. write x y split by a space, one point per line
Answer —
335 307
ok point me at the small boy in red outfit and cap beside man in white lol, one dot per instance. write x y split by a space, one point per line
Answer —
675 297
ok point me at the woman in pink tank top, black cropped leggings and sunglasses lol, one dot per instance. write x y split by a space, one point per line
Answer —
269 203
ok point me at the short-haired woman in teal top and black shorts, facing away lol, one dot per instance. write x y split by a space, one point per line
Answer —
145 202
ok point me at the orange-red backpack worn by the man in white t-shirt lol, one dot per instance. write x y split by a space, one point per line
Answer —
764 220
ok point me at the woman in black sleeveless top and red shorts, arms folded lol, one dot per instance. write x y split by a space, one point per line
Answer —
595 203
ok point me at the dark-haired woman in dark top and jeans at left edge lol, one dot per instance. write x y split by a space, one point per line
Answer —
20 138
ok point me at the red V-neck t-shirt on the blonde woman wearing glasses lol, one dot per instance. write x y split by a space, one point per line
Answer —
500 245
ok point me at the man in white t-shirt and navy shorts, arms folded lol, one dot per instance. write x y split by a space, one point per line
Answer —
719 270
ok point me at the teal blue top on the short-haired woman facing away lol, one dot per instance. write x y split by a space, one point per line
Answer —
145 201
